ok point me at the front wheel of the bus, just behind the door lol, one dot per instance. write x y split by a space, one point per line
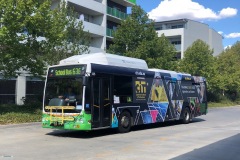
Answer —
124 123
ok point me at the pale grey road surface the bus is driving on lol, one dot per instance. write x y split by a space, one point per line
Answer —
215 136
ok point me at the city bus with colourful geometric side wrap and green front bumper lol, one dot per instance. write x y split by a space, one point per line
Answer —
111 91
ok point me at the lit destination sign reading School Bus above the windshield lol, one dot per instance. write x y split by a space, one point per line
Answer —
67 71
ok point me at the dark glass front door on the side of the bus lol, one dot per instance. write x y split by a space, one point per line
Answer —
101 109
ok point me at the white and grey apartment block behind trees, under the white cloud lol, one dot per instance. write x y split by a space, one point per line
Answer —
183 32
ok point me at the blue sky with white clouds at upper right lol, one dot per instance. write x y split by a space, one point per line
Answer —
221 15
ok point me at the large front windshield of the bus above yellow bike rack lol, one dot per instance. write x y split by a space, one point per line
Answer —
63 92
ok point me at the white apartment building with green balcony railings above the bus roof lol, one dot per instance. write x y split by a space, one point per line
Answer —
100 18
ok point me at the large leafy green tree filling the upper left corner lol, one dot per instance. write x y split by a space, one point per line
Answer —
32 36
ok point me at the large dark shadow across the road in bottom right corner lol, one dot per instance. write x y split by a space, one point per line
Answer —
226 149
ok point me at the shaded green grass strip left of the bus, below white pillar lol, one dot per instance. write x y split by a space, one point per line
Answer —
14 114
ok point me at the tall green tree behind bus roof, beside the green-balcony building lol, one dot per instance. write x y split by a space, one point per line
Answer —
132 31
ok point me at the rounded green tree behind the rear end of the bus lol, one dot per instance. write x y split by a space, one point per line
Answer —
198 60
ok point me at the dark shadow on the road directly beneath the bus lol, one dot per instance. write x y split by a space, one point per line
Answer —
111 131
